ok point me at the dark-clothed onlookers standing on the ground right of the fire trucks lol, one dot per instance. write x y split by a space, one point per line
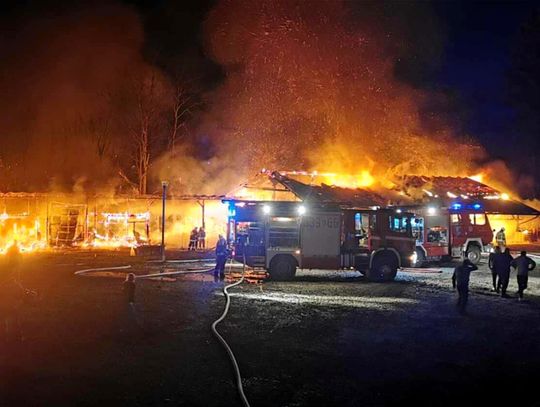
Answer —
500 263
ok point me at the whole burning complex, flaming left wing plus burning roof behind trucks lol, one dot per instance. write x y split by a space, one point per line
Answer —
40 220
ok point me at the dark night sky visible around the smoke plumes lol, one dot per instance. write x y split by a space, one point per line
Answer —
464 50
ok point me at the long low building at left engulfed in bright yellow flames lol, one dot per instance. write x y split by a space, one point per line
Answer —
39 221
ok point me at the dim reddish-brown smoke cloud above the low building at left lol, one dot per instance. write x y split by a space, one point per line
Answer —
58 73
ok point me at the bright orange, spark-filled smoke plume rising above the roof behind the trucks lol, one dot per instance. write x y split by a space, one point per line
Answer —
315 88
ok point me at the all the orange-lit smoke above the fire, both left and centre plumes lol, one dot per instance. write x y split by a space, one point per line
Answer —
334 87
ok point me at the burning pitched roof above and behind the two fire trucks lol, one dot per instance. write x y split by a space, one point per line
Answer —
521 221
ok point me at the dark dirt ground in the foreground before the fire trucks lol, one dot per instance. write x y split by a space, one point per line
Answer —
329 339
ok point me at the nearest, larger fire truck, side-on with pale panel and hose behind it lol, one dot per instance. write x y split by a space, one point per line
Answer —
283 236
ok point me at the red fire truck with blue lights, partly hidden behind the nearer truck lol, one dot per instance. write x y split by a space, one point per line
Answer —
460 230
